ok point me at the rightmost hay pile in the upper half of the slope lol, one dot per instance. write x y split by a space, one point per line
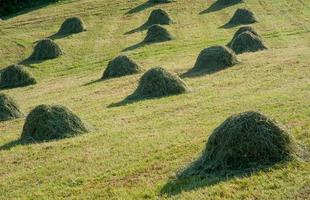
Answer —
247 42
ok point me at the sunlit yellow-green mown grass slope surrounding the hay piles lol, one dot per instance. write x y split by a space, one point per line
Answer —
136 149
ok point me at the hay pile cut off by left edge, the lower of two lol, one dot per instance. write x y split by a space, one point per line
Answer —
9 109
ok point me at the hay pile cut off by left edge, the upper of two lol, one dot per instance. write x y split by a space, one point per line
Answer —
16 76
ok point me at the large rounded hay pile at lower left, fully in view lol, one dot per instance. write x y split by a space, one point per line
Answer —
52 122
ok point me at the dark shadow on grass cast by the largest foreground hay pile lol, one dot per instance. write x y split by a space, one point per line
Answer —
184 181
